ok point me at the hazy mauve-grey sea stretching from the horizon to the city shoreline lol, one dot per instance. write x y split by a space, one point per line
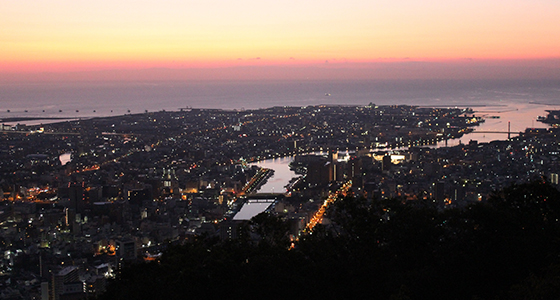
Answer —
518 101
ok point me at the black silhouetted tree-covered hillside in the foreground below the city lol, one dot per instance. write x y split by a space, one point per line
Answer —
507 248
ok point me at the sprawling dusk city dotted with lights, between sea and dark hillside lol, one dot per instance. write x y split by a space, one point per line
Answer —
81 198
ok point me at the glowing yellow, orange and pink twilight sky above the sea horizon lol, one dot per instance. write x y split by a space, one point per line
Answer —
289 39
